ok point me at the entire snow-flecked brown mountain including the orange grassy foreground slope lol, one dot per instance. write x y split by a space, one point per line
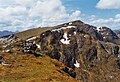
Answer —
81 51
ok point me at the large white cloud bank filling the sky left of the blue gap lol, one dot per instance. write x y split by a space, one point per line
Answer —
25 14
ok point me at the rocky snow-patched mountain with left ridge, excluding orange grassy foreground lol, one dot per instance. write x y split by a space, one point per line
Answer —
89 54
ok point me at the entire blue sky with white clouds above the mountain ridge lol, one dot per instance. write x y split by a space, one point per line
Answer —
19 15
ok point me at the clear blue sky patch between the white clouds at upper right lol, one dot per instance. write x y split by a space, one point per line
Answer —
89 8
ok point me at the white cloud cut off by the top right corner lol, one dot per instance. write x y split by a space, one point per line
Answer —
108 4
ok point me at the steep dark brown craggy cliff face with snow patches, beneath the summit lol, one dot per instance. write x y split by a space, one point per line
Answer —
81 47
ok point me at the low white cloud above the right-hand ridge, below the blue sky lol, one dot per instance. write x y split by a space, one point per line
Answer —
113 23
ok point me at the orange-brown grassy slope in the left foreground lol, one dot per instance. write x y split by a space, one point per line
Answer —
27 68
